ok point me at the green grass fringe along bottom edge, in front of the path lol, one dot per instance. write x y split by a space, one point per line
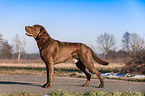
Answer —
90 93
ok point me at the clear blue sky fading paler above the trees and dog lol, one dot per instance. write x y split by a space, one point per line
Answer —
72 20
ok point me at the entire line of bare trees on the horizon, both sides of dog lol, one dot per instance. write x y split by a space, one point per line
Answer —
131 42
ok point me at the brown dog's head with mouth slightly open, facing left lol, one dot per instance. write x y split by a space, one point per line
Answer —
34 30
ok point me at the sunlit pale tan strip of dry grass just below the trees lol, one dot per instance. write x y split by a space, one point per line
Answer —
62 65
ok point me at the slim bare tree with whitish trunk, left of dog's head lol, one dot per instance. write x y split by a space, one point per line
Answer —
19 45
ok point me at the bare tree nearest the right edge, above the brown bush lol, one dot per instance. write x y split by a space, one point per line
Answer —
136 42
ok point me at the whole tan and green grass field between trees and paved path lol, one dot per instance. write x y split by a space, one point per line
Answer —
63 69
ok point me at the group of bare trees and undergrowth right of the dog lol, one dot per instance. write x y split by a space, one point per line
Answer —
131 43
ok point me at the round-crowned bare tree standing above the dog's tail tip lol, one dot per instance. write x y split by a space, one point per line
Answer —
105 43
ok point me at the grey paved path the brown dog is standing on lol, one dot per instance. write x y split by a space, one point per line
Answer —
33 83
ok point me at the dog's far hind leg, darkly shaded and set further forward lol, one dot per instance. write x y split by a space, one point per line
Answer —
81 66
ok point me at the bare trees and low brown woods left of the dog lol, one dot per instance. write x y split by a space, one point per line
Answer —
15 51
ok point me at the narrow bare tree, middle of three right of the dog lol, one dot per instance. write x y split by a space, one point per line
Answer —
126 41
